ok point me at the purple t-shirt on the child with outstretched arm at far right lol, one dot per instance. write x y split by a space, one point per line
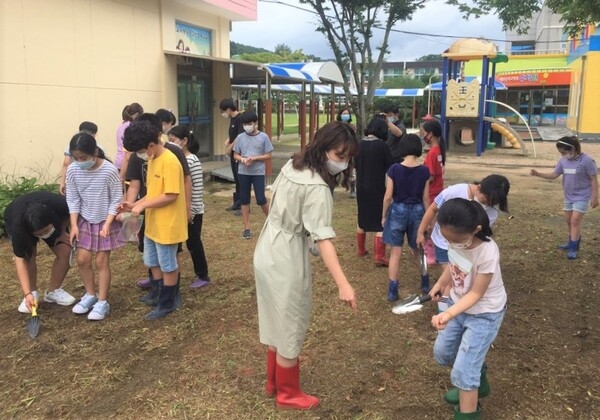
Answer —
577 173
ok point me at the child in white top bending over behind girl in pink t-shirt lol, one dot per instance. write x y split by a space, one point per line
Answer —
491 193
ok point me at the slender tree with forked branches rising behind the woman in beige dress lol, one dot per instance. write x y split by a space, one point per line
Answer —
349 26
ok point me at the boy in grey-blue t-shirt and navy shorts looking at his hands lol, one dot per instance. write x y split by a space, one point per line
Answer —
251 149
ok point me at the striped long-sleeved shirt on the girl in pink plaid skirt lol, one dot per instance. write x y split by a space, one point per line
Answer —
94 194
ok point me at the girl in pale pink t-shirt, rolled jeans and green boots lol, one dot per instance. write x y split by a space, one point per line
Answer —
477 301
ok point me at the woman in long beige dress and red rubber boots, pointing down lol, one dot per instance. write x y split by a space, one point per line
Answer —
301 204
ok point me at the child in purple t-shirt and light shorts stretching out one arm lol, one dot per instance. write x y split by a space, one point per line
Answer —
580 188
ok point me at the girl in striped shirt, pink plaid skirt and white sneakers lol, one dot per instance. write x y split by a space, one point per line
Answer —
94 191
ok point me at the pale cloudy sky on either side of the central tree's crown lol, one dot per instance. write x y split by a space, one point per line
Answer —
282 24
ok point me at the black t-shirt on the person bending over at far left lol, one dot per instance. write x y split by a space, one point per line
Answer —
22 239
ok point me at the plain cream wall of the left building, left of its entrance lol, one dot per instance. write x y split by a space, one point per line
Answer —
77 60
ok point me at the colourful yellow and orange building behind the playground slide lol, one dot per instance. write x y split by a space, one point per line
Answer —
550 79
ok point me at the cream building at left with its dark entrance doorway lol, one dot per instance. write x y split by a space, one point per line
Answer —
66 61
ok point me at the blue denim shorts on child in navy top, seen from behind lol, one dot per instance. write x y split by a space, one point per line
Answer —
402 219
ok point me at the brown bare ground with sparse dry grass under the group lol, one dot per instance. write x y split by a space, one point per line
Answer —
205 361
